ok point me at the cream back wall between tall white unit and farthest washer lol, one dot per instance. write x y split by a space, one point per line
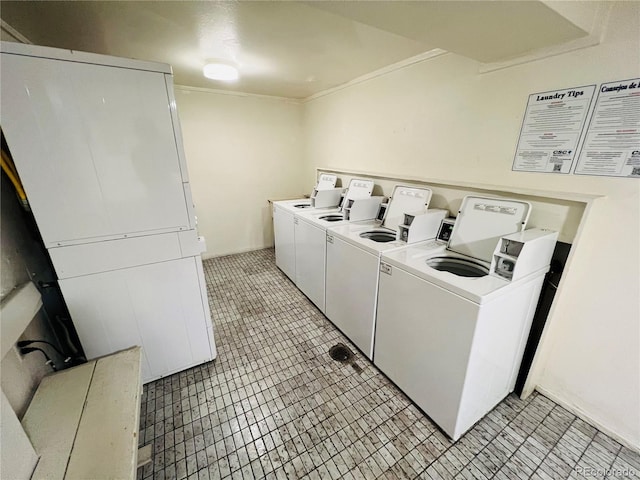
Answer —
241 150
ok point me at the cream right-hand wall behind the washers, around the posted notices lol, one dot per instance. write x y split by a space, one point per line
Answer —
442 119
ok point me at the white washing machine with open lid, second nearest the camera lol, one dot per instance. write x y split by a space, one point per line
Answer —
353 253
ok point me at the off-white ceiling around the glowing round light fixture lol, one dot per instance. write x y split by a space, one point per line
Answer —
291 49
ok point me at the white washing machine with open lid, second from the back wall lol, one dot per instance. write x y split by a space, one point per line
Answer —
310 236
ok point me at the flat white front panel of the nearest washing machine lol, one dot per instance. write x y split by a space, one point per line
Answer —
423 342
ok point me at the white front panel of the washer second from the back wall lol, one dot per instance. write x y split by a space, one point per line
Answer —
311 249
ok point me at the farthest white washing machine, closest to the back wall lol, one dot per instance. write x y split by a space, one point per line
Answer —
283 226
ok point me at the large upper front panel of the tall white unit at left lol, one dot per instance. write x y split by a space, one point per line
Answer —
94 146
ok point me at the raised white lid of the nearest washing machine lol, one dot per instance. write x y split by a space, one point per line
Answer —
482 221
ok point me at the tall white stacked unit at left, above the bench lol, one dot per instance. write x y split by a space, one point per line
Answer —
97 144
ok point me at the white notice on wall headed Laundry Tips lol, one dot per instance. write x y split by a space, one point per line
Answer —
551 130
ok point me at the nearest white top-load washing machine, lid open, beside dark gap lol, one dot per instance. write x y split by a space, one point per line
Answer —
452 321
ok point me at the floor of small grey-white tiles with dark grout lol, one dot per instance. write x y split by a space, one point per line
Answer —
275 405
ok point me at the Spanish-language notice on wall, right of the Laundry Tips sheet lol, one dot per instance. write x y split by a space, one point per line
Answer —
611 145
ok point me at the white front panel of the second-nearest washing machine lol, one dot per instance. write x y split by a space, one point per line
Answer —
351 284
